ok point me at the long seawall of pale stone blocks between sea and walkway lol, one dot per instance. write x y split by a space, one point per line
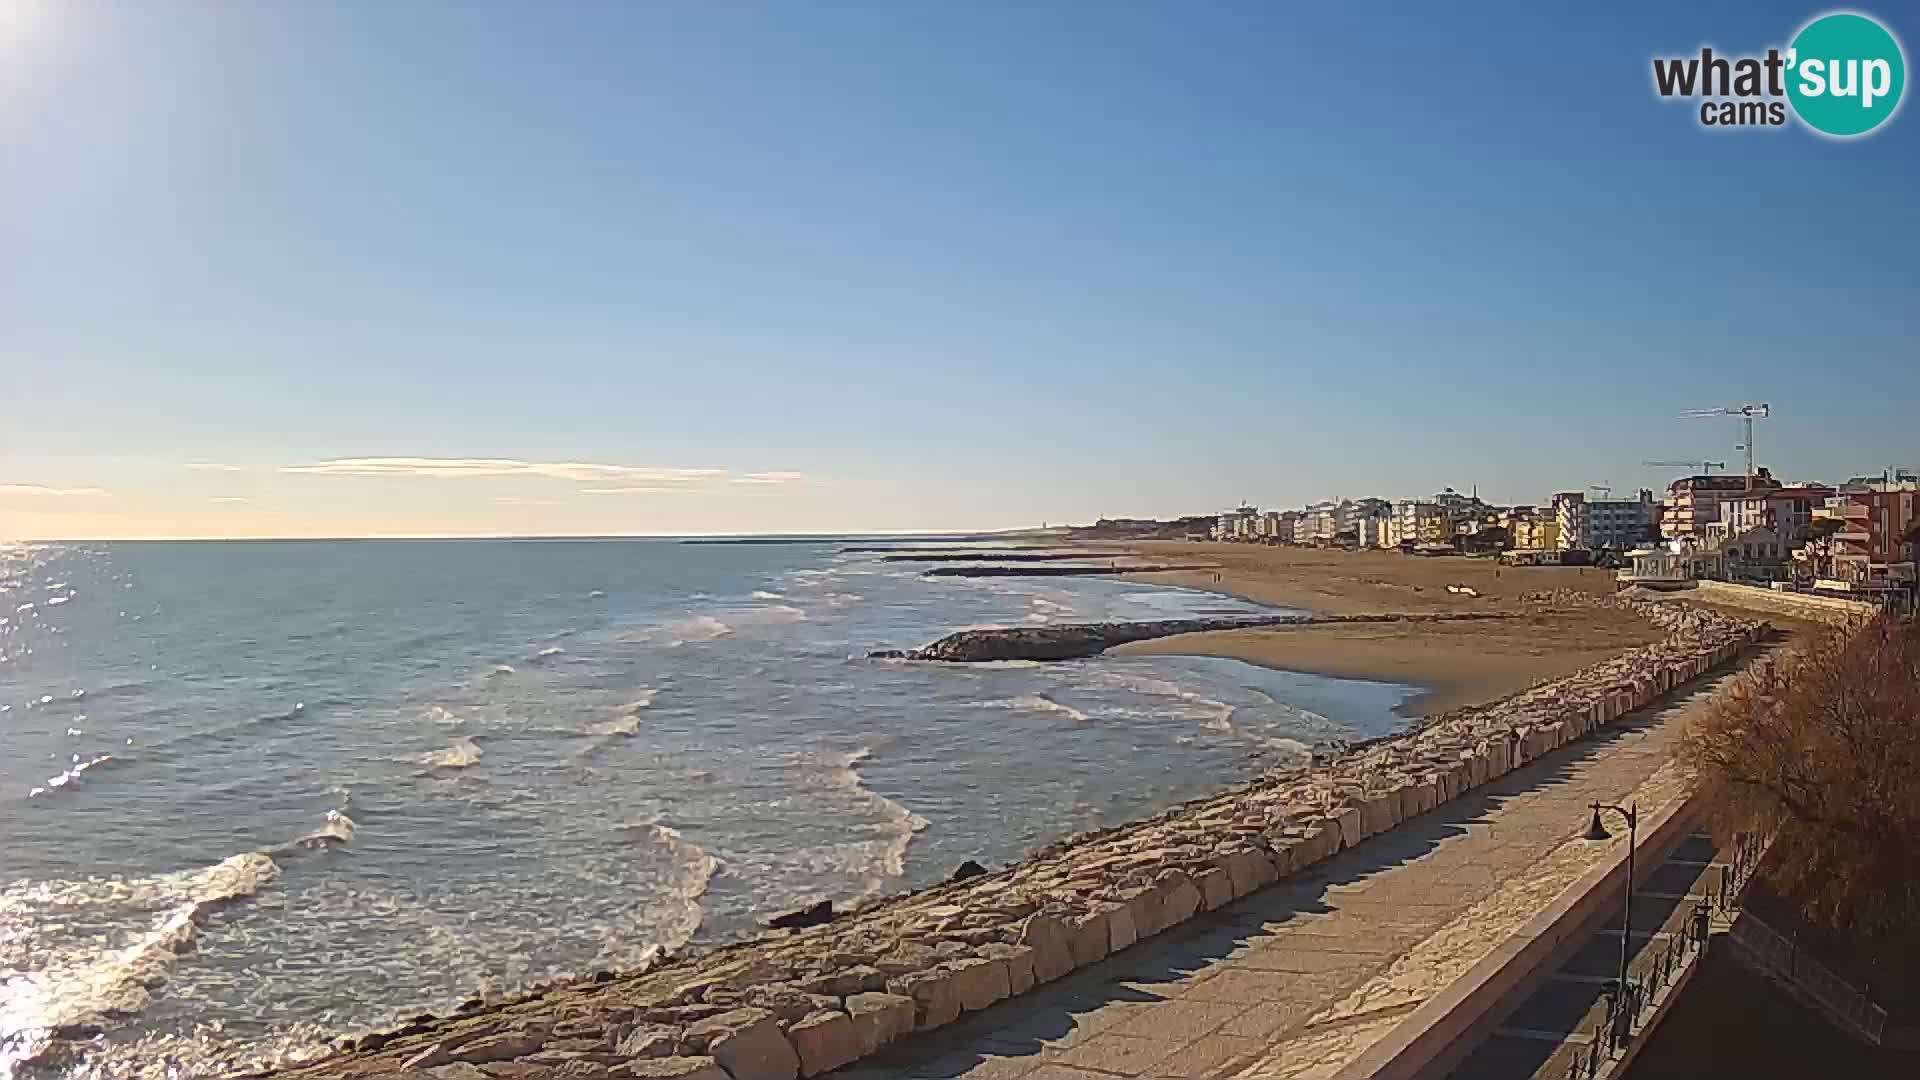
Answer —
805 1002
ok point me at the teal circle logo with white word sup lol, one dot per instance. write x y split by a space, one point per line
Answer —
1846 74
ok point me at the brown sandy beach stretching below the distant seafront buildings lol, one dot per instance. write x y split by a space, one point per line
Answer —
1460 664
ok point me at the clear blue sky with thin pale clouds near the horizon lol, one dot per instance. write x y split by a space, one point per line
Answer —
673 268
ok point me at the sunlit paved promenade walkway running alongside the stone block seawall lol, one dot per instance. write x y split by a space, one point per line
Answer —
1299 979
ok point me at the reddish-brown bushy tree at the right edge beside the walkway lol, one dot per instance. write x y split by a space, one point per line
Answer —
1823 750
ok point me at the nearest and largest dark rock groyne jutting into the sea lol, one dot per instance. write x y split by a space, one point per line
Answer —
1074 641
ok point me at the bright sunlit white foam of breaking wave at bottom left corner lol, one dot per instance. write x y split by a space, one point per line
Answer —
91 983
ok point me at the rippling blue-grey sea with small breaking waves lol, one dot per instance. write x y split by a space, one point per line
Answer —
260 795
